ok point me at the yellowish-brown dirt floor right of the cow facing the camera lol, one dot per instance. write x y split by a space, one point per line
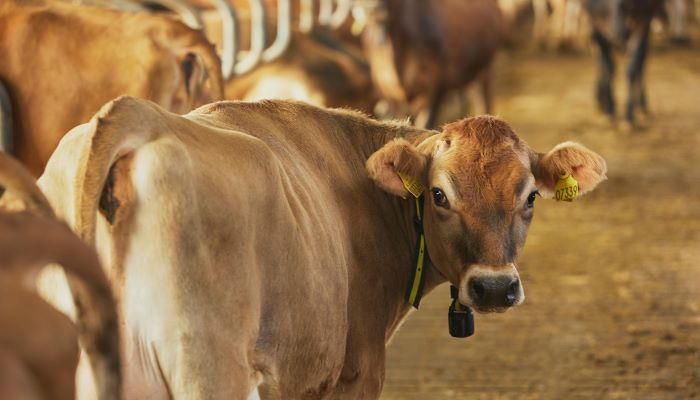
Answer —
612 281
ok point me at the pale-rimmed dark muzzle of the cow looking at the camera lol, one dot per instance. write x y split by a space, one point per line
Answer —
491 289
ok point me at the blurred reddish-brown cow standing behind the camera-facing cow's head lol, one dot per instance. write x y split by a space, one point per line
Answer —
419 50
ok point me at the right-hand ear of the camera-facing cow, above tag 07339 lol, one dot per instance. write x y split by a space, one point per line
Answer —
586 166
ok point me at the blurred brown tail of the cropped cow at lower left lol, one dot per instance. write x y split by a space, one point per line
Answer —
41 241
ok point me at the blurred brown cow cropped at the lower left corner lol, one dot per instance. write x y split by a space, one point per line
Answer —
38 344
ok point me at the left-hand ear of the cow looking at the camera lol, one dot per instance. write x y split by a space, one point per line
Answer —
398 157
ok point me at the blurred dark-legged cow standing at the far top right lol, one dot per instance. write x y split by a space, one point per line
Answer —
623 24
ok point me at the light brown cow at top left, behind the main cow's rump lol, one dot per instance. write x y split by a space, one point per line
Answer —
61 63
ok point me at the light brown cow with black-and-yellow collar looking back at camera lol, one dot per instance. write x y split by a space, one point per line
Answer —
252 254
